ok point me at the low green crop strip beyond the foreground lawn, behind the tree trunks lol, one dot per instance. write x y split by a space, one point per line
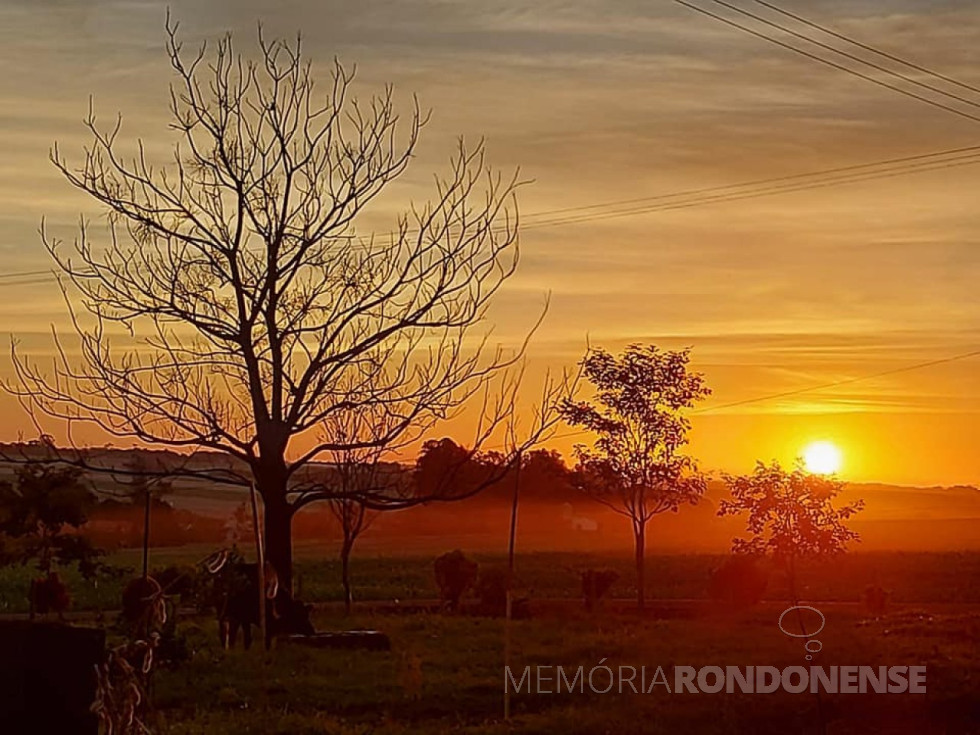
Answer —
911 577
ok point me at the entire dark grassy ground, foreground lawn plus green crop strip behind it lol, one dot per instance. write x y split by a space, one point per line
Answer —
445 673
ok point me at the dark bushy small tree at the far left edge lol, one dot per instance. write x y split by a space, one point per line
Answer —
40 517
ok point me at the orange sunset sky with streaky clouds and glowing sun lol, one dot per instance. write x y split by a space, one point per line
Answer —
599 102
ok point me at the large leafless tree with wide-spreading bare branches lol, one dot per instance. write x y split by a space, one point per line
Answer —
257 308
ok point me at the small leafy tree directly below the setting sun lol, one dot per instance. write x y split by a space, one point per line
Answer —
791 515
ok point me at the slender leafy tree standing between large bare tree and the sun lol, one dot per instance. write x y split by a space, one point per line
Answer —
636 467
